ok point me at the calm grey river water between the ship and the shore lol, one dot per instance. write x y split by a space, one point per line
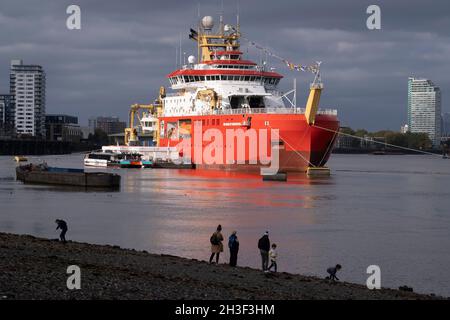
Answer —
390 211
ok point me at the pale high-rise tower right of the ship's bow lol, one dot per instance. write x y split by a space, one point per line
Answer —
424 108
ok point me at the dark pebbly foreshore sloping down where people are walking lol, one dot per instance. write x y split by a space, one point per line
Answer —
35 268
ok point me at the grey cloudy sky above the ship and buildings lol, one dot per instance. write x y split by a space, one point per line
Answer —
126 48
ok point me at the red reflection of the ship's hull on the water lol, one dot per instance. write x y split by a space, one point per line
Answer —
217 190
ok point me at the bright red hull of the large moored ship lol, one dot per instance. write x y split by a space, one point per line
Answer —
300 145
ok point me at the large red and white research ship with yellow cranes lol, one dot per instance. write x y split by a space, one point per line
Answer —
218 91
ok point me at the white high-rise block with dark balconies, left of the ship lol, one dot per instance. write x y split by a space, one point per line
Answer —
27 84
